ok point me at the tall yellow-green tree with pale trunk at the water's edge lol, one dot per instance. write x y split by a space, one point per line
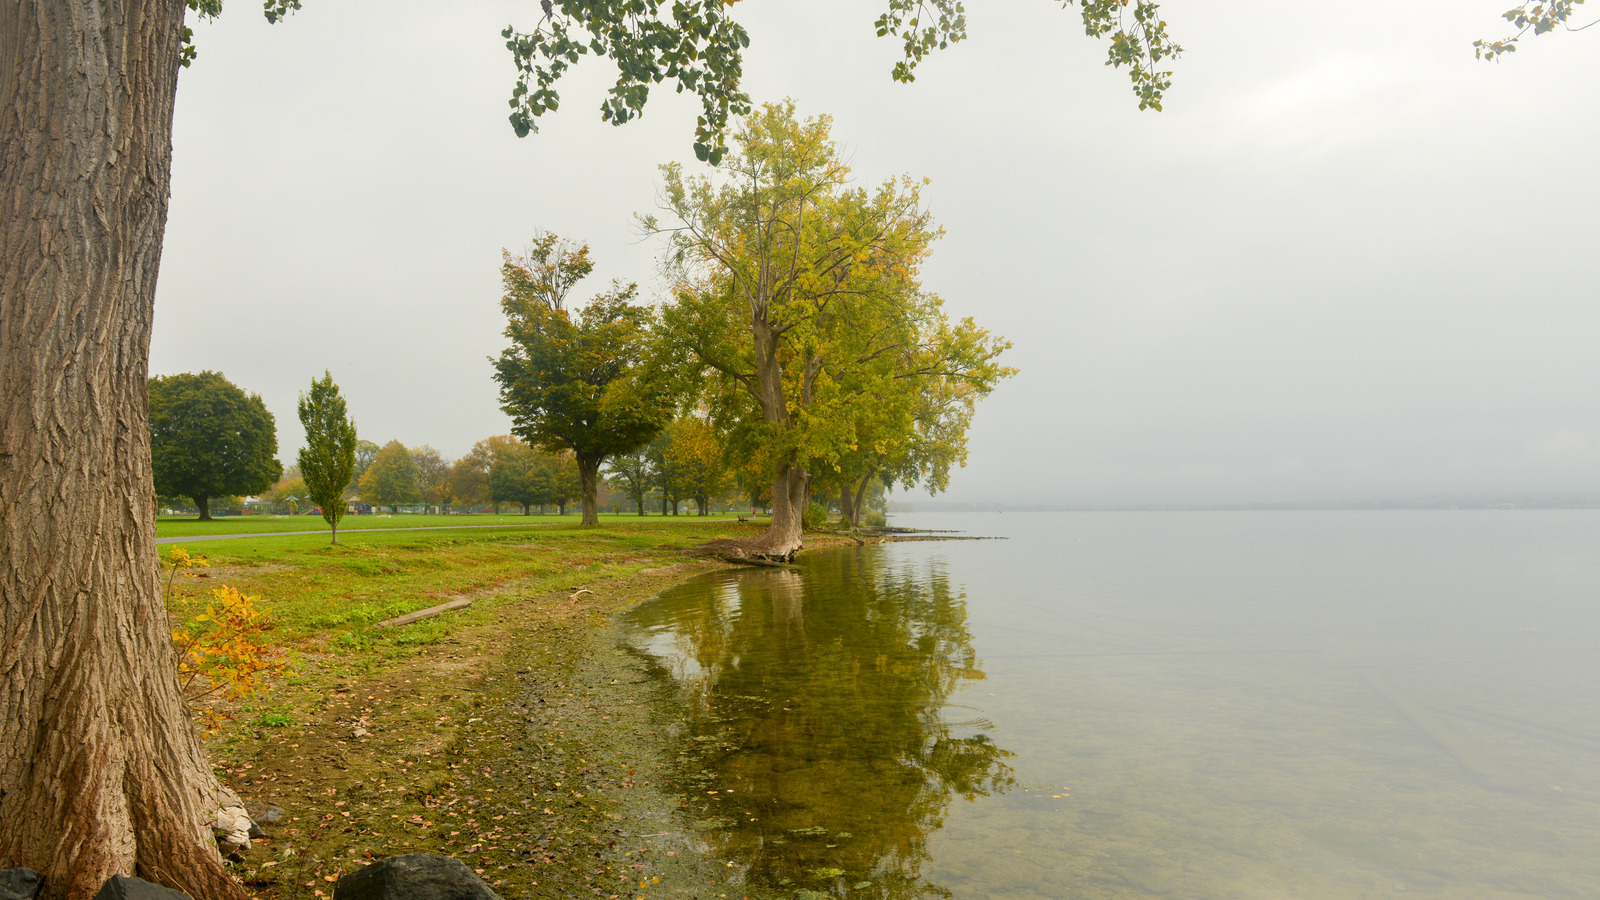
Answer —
799 311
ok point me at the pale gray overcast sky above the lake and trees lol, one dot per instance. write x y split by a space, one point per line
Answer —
1348 263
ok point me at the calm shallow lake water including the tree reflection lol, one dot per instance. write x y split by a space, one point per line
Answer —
1308 705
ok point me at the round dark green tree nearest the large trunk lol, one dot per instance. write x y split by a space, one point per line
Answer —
210 440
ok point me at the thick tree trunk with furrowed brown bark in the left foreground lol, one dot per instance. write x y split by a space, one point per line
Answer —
102 771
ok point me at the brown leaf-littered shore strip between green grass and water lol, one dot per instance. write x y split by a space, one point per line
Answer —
412 755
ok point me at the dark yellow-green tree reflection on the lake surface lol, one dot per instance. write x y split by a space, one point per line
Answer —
818 745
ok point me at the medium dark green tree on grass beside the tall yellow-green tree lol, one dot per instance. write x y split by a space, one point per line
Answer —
575 382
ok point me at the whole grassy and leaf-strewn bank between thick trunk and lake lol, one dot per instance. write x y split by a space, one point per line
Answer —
513 736
